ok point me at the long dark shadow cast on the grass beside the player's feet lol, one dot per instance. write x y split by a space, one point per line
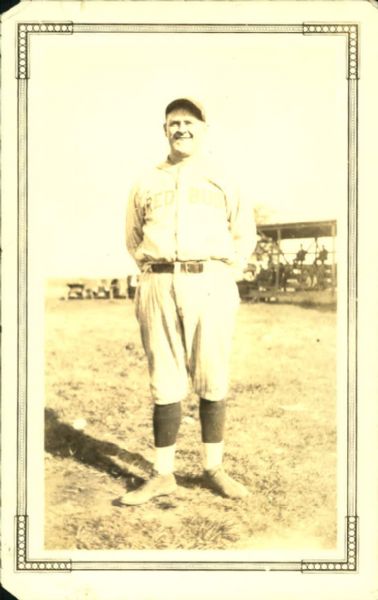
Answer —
67 442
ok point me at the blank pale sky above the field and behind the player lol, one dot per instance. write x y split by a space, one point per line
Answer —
277 114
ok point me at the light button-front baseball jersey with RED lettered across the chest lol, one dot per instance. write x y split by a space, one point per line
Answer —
186 211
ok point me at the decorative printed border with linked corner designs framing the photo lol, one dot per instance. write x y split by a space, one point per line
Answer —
24 32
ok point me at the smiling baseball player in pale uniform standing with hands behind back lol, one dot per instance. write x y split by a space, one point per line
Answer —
191 235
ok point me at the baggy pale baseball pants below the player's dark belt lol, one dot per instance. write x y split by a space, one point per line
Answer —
186 322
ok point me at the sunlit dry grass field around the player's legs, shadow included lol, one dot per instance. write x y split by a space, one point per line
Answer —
280 438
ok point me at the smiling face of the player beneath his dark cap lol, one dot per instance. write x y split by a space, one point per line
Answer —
184 132
